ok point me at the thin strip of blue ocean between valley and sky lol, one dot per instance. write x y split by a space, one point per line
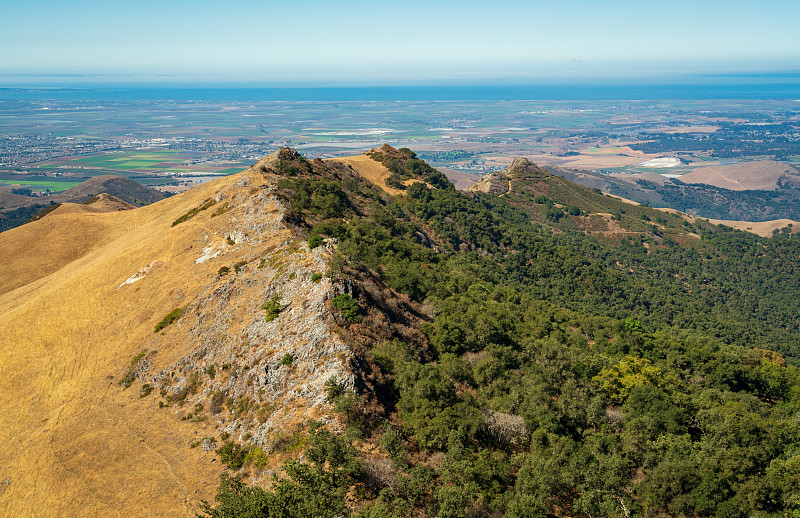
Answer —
738 87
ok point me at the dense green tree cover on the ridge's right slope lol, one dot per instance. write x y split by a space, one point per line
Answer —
567 373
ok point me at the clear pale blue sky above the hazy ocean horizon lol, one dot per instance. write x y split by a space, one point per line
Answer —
359 42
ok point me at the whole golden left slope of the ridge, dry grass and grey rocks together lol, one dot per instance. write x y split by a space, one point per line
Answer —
81 295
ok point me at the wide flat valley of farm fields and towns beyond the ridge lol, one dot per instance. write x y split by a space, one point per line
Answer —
178 143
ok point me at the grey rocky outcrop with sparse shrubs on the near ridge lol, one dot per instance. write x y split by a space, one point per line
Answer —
254 375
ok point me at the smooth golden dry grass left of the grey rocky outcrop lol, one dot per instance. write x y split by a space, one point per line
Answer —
72 442
